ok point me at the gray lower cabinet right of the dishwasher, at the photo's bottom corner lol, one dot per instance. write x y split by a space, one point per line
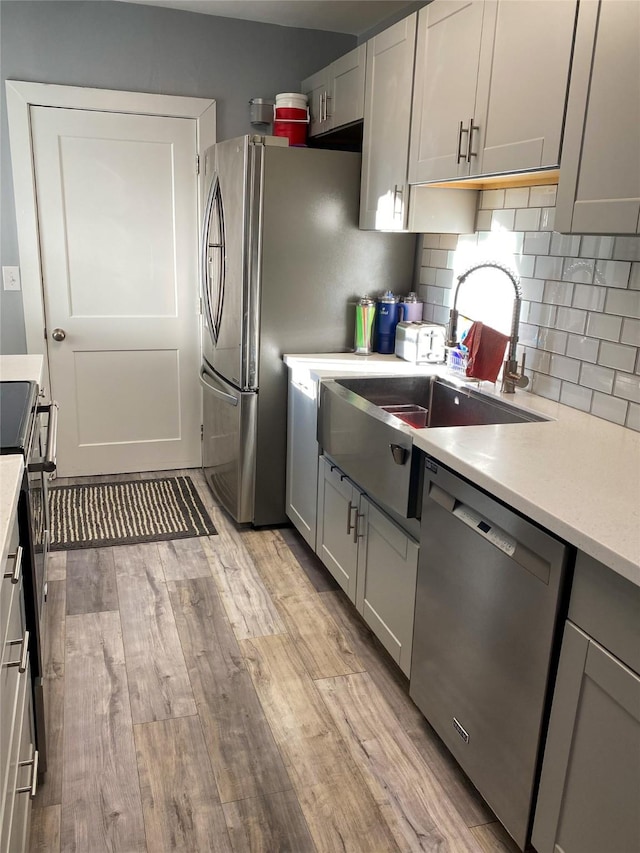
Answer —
589 797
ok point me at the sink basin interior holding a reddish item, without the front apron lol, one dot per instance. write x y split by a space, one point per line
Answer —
446 403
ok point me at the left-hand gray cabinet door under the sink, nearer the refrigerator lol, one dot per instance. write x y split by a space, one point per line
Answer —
337 508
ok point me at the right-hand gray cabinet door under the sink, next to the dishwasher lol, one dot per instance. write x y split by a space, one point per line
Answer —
386 589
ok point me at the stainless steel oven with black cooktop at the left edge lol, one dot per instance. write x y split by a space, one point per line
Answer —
29 428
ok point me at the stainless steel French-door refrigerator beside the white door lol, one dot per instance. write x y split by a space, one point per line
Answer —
283 262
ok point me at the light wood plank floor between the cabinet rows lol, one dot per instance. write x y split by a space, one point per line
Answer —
222 694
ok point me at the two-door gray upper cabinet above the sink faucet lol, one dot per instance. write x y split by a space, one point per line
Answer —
490 87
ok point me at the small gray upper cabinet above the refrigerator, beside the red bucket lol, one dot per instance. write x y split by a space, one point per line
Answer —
336 93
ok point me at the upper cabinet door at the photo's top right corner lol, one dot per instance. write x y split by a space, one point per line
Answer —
599 188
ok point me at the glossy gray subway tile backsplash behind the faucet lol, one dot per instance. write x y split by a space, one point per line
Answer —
580 319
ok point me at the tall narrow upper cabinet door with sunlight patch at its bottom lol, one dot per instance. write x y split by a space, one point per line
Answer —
387 117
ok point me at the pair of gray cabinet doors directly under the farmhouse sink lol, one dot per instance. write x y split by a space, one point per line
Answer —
374 561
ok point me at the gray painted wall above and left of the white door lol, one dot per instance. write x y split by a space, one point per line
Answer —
111 45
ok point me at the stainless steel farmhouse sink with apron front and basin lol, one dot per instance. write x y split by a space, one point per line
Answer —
364 426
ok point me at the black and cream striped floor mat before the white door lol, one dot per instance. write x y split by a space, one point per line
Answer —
123 513
